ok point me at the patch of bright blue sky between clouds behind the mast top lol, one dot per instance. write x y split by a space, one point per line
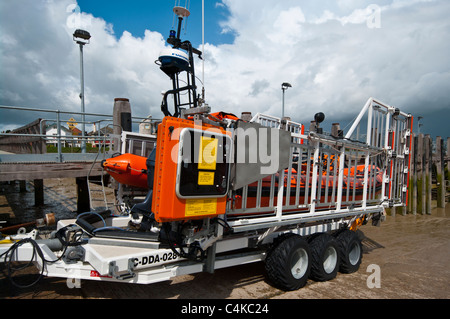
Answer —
136 16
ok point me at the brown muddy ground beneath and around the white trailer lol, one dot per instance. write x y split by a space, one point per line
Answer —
412 254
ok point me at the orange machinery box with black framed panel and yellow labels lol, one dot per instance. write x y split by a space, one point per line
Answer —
194 161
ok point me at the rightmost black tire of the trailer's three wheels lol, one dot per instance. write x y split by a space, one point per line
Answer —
350 247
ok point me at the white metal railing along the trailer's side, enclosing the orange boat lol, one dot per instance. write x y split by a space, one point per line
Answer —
332 176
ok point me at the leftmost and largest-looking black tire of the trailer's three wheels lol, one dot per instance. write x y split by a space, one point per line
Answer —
287 253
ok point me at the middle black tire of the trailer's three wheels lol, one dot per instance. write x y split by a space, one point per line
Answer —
325 257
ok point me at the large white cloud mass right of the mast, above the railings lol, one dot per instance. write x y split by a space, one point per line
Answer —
334 60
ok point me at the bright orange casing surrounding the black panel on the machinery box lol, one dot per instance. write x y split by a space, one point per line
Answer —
166 205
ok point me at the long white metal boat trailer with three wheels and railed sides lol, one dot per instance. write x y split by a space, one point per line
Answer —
298 232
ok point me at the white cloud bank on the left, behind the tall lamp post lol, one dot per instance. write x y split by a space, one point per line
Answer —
40 61
